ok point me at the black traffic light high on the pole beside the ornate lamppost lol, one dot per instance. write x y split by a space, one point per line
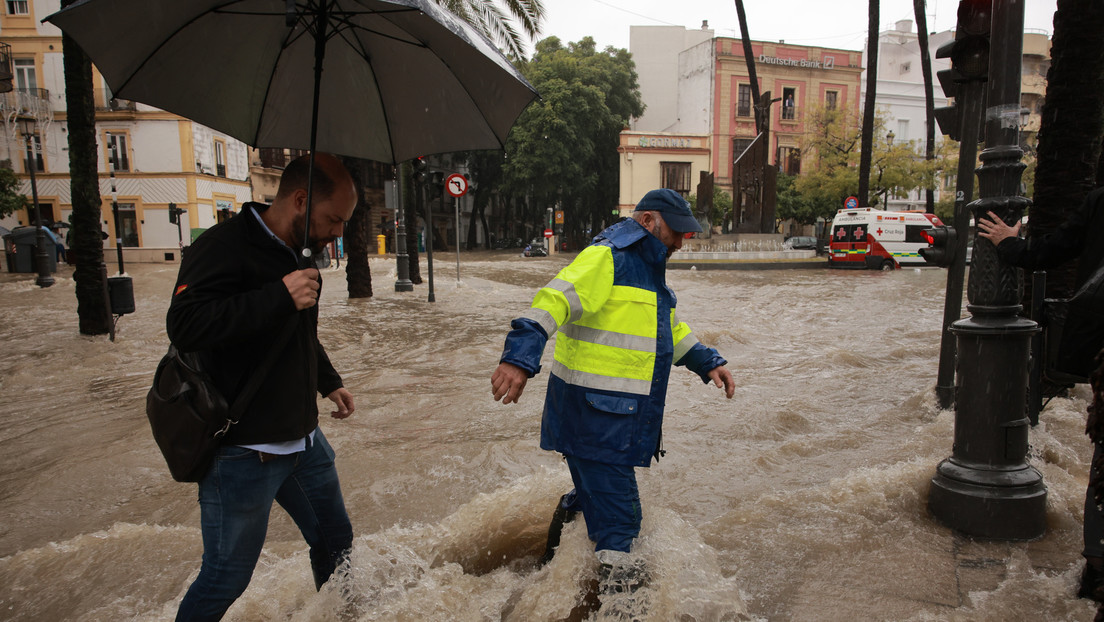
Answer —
970 61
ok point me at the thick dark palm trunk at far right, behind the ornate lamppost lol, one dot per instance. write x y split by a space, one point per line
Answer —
1073 125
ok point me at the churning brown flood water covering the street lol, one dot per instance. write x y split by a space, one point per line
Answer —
811 486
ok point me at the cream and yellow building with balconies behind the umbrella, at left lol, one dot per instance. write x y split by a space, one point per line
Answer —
148 159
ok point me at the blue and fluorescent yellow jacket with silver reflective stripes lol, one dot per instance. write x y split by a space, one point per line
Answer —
619 336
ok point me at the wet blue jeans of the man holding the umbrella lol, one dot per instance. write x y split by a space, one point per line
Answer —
236 499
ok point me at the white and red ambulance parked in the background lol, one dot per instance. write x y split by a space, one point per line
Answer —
866 238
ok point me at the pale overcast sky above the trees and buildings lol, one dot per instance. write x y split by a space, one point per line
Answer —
806 23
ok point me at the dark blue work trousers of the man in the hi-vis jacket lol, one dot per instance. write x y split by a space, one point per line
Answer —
608 497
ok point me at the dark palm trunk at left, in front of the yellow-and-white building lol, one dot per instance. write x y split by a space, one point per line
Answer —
93 311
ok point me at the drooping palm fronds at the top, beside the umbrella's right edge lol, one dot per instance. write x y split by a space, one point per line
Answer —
498 25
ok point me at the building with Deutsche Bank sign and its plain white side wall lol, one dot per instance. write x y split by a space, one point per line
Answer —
713 100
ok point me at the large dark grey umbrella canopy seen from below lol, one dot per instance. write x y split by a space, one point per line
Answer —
396 80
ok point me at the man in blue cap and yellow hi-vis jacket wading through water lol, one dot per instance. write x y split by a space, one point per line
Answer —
619 338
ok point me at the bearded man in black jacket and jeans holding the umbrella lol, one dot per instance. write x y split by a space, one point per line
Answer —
241 293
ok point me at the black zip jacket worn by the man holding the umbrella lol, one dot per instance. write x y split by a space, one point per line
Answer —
230 304
